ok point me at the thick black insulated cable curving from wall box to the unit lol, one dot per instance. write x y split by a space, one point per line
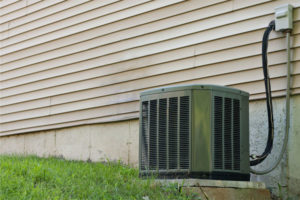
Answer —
258 159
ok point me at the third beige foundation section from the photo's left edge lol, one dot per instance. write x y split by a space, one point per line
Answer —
73 143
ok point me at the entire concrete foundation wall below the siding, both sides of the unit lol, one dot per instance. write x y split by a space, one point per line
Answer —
119 141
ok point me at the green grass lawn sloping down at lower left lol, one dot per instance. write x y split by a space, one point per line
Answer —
53 178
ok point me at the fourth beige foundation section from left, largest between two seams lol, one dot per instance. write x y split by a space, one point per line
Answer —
110 142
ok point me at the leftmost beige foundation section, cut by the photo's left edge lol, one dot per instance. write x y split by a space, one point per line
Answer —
12 145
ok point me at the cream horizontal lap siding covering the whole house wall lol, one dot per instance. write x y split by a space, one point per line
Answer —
66 63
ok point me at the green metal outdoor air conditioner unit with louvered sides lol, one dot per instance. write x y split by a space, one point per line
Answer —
196 131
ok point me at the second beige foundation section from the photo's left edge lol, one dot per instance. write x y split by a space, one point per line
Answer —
41 144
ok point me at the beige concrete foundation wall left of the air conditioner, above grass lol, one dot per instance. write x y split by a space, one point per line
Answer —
99 142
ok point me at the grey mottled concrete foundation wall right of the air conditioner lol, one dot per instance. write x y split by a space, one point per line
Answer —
285 179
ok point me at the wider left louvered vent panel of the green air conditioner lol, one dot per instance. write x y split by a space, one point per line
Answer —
165 138
